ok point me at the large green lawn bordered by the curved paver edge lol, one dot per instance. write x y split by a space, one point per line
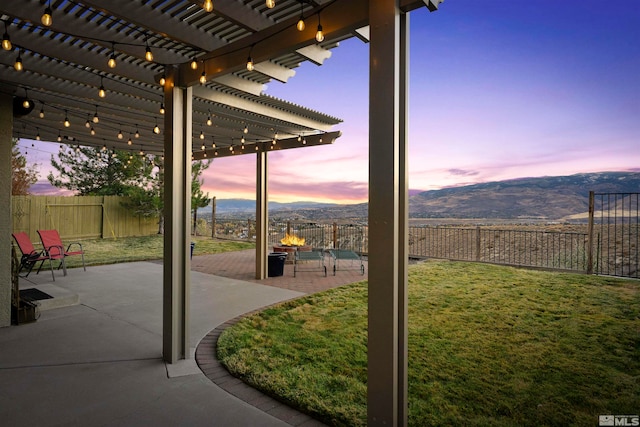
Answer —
488 346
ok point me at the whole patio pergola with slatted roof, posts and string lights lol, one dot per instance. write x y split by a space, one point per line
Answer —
185 80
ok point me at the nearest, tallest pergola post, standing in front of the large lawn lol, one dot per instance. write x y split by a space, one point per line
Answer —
387 320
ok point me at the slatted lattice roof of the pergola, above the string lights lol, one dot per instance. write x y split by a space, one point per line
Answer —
66 64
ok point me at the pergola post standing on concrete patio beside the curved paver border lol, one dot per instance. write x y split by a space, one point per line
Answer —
177 209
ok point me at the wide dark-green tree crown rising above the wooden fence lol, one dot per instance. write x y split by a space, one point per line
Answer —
91 171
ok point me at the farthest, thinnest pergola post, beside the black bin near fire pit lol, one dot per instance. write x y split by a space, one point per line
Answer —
262 215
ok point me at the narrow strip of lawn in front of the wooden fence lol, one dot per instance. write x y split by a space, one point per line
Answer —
111 251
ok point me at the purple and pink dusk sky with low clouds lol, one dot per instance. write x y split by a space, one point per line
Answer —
498 90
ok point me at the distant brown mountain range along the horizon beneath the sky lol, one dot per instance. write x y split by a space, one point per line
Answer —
545 198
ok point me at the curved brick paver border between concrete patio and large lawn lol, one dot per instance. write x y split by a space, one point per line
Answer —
212 368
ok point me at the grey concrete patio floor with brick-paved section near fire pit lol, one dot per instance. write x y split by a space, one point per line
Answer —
93 357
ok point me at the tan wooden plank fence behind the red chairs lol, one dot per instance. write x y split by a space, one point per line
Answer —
78 217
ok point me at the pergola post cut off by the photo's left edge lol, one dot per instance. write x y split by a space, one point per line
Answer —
6 128
